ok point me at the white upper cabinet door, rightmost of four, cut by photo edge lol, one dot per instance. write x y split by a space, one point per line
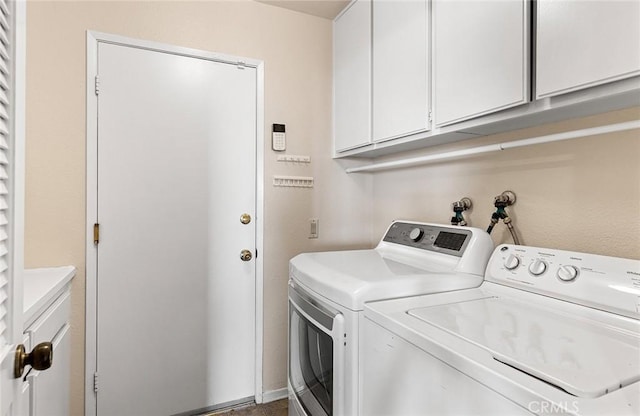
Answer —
580 44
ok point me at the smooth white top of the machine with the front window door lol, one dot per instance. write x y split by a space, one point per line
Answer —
351 278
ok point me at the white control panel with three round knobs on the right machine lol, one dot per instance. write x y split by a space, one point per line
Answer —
607 283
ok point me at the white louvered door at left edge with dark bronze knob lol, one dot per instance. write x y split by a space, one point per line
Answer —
11 199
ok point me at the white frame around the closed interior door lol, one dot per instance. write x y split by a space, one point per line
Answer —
93 39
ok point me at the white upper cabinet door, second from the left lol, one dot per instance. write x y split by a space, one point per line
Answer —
400 68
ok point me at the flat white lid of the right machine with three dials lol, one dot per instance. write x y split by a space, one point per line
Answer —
554 345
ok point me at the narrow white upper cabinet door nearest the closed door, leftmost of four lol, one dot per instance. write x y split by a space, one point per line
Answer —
352 76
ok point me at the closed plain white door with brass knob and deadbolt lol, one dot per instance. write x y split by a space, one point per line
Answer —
176 170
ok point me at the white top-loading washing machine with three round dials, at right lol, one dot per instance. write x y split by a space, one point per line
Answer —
547 332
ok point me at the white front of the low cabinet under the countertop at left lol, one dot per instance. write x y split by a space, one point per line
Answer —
46 393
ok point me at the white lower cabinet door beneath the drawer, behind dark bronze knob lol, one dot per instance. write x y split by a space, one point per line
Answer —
50 388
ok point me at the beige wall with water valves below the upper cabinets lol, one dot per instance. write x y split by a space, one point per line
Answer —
580 195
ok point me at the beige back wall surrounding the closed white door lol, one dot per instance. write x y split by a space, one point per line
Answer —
297 52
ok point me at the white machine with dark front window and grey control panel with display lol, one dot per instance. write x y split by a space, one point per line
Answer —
328 290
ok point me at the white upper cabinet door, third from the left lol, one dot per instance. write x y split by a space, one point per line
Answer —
481 57
